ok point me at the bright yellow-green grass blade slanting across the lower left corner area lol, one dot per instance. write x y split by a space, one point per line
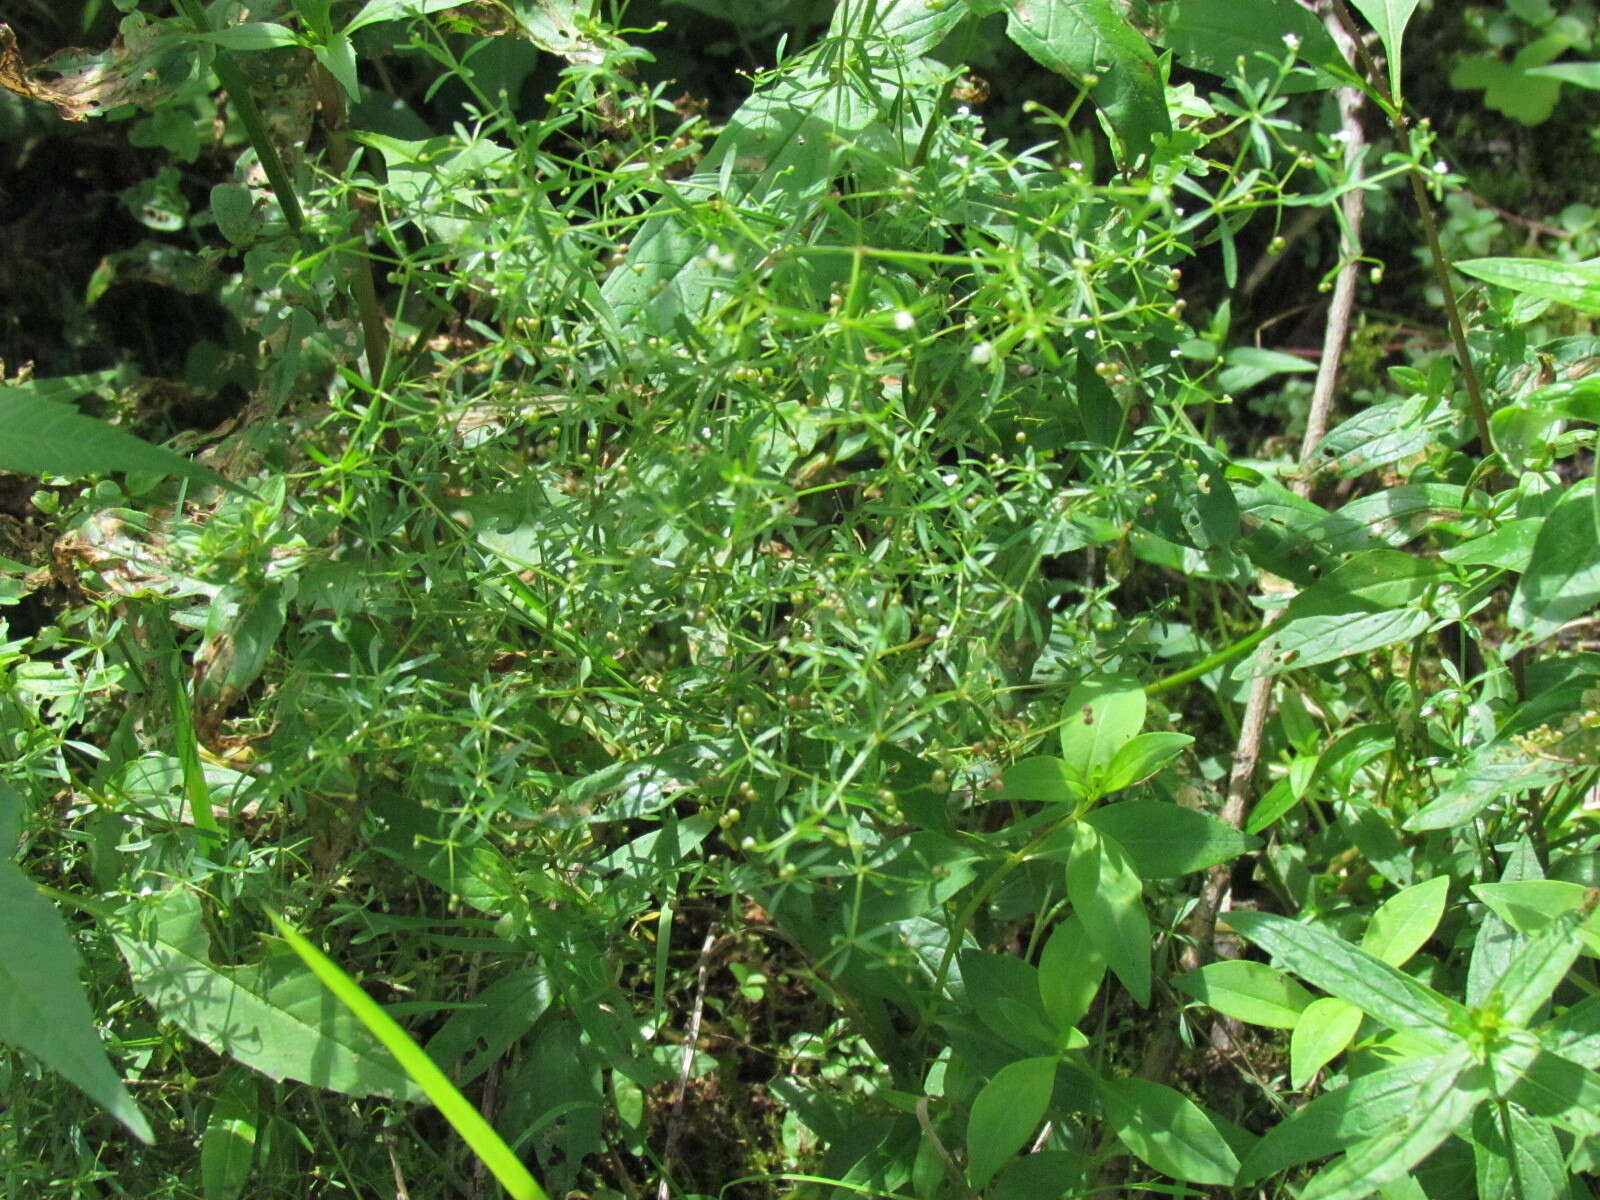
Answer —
478 1134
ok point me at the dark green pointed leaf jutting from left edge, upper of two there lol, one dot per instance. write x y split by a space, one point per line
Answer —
49 438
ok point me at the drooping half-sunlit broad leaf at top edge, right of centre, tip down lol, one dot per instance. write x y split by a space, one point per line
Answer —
1084 39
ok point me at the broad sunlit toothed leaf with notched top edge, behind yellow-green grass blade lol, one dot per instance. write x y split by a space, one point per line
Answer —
273 1017
